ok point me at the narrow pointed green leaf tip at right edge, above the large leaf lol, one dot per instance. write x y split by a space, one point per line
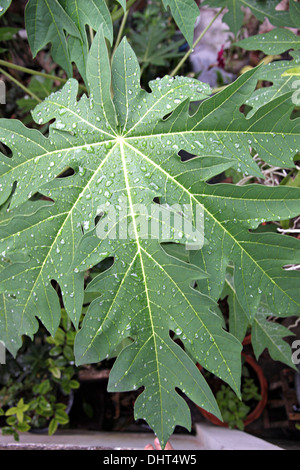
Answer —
274 42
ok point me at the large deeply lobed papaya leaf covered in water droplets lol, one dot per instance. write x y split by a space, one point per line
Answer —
124 153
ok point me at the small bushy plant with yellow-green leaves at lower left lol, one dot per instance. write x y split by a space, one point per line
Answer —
36 389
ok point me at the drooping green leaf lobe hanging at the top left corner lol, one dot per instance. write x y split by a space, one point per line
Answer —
47 22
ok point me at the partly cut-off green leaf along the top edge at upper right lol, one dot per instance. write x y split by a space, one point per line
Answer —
260 8
